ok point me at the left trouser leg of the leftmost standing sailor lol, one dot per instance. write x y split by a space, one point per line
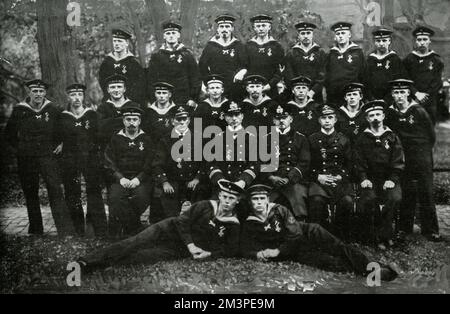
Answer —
28 169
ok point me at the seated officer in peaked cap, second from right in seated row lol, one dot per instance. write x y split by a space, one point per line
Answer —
331 163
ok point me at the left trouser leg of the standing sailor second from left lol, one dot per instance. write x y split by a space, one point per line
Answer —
71 176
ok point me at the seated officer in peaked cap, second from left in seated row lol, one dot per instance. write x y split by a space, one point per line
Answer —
181 178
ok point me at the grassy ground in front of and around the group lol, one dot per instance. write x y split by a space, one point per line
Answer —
39 264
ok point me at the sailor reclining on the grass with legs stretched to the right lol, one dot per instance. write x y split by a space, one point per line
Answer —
271 233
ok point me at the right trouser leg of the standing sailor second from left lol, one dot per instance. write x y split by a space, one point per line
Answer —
95 208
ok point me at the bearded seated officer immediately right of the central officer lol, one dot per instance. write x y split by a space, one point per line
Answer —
290 179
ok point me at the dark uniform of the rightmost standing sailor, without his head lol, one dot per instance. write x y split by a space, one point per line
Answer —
417 135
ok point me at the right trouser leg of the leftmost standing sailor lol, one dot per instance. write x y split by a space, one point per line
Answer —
60 213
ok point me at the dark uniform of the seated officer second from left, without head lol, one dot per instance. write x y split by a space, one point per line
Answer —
178 172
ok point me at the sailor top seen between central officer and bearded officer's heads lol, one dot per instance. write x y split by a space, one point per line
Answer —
258 115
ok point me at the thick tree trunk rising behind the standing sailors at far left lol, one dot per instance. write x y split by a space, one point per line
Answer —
56 48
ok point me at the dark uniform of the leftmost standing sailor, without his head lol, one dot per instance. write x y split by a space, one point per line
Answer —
32 133
